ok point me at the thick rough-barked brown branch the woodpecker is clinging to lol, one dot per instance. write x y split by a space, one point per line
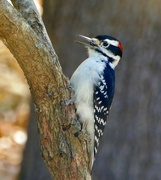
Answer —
67 156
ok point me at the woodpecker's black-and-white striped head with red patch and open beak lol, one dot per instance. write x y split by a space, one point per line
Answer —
104 46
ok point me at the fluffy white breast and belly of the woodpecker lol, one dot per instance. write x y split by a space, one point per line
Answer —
83 81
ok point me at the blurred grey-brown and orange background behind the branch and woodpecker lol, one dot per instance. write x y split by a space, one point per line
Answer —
131 146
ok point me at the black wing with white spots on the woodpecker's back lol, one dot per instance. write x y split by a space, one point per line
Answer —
103 95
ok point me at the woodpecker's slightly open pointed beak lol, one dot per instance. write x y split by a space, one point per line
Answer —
86 41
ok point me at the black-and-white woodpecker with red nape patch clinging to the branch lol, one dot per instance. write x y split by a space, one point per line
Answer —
93 83
